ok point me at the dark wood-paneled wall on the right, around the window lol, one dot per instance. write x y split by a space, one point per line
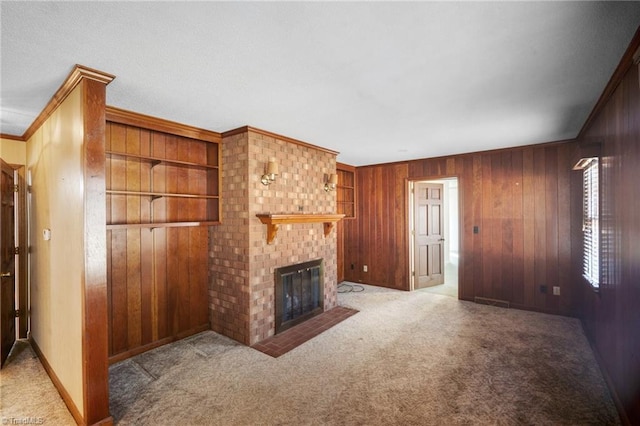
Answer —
612 316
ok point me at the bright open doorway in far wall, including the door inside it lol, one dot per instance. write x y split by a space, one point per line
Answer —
434 236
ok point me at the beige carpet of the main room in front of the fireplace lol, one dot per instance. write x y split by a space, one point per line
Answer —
403 359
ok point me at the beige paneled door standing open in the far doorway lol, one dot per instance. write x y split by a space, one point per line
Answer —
428 234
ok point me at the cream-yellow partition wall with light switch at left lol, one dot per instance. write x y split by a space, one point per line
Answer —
54 161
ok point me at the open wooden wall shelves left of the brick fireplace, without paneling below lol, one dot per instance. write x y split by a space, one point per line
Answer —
173 180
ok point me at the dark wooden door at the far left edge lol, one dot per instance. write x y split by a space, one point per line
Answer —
7 264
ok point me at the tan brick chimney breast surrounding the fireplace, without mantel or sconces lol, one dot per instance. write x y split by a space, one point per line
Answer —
243 265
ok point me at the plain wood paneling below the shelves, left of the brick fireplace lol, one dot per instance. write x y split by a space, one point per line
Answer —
157 286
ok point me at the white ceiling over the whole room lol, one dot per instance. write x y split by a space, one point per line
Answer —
376 81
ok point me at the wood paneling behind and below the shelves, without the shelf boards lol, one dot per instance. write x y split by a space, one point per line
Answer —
157 277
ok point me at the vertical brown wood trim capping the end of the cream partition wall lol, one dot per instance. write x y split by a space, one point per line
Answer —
95 363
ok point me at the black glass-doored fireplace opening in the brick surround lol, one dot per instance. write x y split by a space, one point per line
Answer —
299 293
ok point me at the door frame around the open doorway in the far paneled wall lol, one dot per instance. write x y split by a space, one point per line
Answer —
410 219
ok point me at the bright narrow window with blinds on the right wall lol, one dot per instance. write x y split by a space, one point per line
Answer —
591 222
